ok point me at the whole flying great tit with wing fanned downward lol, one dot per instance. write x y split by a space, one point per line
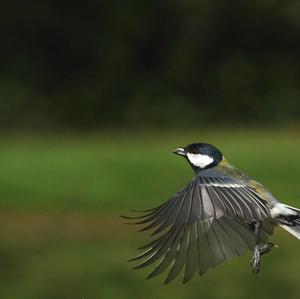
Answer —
220 214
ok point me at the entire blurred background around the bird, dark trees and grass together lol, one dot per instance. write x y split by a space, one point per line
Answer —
93 98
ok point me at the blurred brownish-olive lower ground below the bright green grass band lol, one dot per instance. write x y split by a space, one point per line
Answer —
76 255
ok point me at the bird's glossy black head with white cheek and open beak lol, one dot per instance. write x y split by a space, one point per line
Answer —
200 155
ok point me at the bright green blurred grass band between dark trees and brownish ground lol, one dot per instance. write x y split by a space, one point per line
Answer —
118 171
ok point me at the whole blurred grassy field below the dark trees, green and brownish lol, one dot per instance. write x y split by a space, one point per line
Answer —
61 197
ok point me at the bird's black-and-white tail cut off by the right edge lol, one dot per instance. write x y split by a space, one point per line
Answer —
290 221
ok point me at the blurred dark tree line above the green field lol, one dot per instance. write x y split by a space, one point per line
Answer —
149 63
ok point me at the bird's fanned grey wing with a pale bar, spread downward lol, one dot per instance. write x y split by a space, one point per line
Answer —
207 222
